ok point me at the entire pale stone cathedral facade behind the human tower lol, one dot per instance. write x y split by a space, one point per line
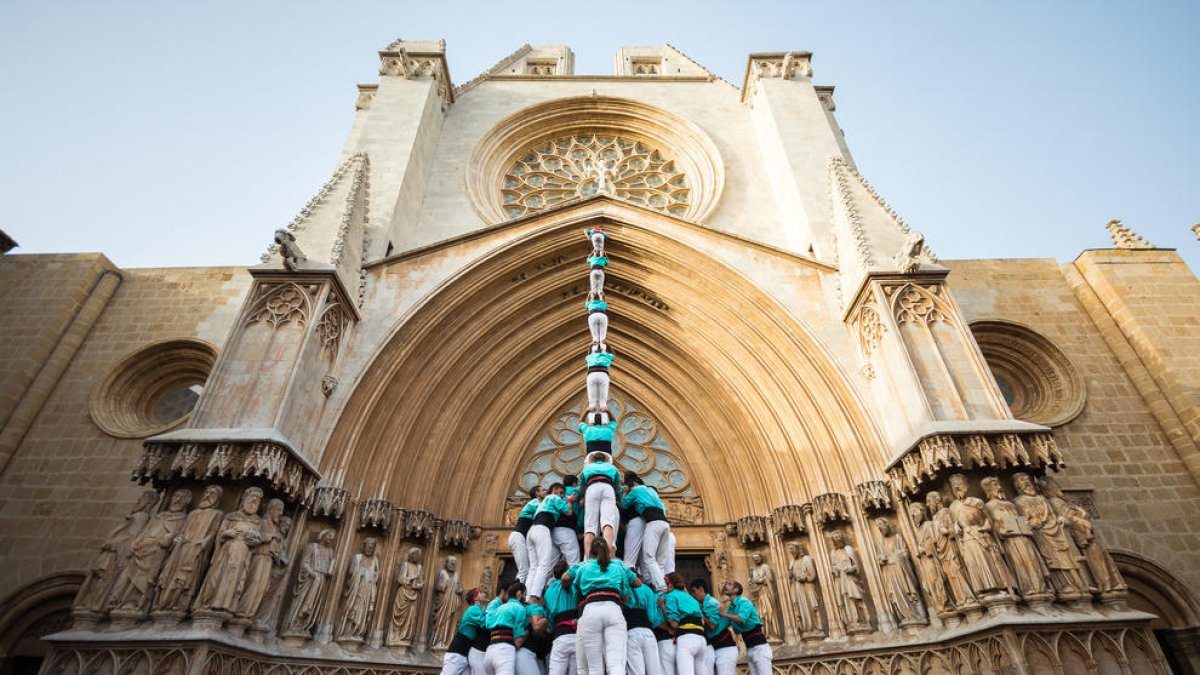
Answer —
832 407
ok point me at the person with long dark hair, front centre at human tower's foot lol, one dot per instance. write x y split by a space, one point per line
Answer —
604 584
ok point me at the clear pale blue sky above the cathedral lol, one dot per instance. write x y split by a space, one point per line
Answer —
184 134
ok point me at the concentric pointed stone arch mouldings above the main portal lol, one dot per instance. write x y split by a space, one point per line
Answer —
446 414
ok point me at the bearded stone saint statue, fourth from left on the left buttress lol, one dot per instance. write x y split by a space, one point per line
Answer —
239 534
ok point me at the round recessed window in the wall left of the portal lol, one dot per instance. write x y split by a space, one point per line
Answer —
153 390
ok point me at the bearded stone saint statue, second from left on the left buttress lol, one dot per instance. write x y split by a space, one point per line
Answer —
133 592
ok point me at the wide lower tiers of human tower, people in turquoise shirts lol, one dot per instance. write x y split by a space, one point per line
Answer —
603 616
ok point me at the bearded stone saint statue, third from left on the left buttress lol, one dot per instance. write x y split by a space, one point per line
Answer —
185 566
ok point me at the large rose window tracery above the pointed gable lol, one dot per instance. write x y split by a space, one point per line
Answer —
584 165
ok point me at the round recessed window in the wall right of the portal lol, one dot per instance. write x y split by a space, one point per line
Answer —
1036 379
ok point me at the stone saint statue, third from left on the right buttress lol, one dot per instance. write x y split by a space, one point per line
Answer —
981 553
